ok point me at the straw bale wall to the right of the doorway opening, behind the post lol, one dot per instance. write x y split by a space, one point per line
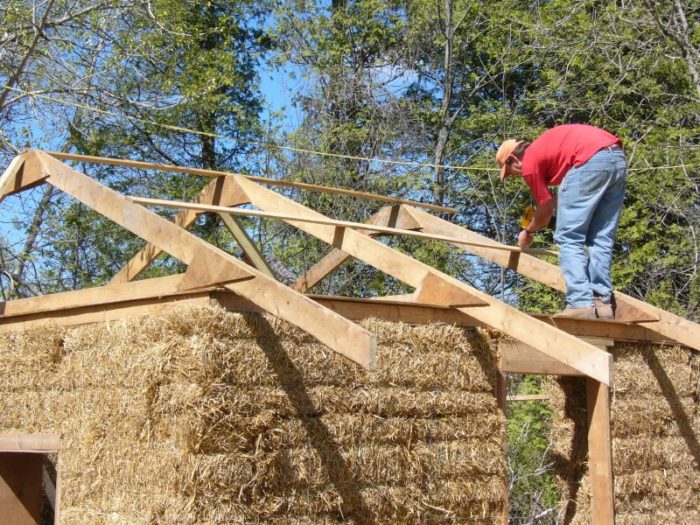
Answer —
655 426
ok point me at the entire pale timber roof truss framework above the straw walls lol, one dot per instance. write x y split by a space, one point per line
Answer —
209 266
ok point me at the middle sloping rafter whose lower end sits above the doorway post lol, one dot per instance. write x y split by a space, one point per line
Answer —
551 341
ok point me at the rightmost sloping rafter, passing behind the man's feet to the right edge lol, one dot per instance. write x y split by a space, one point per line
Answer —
666 324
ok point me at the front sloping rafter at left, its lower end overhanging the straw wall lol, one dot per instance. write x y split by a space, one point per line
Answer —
341 335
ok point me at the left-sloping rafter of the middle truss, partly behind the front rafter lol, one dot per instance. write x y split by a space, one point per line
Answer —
222 190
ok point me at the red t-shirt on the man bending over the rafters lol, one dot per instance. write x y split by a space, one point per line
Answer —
556 151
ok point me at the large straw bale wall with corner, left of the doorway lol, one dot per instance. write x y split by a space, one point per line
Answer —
206 416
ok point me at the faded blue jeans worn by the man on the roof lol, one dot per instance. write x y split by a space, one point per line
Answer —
588 211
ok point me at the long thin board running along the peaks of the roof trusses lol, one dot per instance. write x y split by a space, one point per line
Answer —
261 180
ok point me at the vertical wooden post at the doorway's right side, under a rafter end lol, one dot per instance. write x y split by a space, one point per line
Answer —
600 453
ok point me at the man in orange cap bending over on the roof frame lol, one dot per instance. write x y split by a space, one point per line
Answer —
590 167
